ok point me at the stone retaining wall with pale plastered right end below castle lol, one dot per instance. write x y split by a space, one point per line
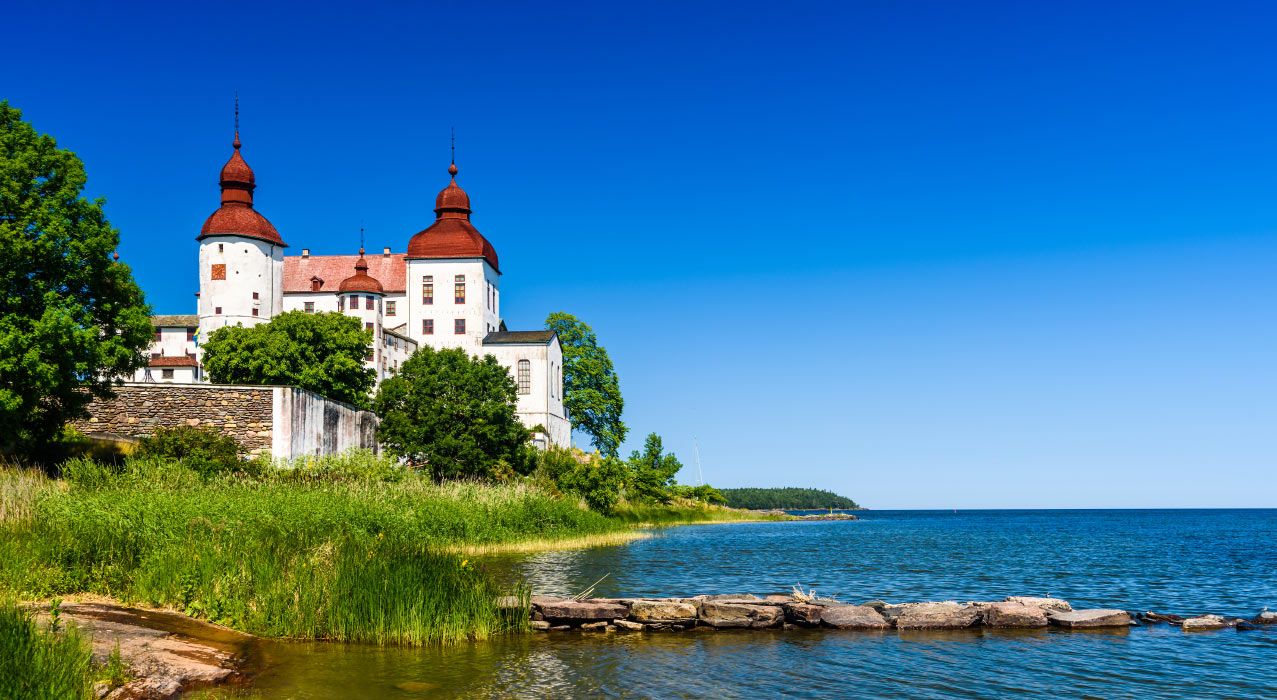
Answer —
283 422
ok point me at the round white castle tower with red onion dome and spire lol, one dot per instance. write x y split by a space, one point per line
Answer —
241 255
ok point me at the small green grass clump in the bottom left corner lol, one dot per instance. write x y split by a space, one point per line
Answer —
42 664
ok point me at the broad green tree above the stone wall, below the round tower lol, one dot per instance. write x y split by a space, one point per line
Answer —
317 352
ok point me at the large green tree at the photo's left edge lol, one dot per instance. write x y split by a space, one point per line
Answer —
72 320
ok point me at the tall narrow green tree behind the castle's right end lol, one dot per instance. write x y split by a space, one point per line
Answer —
592 393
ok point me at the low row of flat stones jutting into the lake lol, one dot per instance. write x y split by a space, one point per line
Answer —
753 612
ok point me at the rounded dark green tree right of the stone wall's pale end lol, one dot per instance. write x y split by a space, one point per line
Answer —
454 416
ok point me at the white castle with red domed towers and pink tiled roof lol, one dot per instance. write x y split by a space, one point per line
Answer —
445 292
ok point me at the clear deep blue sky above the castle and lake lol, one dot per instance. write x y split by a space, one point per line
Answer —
925 255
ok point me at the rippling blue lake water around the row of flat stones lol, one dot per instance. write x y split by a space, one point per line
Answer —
1182 563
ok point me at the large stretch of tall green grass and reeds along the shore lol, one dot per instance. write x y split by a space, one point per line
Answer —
349 549
